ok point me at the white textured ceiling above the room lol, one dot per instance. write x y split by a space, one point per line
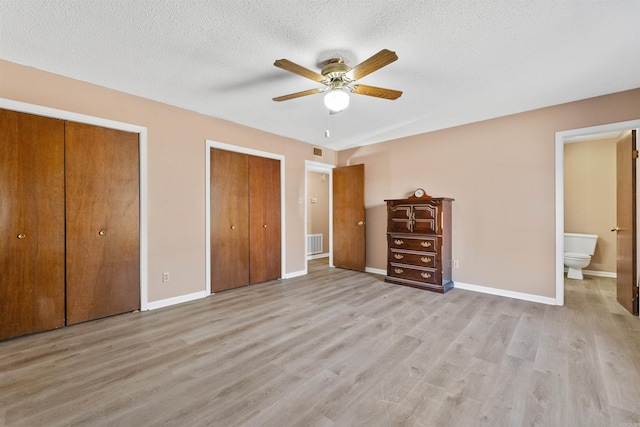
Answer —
459 61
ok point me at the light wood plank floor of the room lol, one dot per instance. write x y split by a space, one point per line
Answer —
335 348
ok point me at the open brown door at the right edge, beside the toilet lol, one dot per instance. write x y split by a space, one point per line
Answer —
627 291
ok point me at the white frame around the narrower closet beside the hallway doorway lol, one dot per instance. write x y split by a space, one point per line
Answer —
209 144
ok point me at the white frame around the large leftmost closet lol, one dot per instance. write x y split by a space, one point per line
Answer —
55 113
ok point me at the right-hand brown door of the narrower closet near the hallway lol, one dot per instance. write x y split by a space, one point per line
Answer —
264 219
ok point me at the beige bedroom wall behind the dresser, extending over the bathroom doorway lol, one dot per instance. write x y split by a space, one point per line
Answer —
501 173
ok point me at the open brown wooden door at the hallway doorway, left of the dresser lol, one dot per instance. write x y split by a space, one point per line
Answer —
349 218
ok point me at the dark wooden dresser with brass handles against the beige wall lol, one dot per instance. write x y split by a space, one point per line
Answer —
419 243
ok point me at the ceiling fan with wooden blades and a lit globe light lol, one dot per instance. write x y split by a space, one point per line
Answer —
337 76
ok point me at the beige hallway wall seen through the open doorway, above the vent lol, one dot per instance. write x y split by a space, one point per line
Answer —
318 212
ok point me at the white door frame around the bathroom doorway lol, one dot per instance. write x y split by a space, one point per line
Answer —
562 137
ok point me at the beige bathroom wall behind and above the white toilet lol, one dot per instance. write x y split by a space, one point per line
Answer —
590 197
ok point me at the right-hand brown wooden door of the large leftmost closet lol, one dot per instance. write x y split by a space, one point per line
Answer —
102 214
